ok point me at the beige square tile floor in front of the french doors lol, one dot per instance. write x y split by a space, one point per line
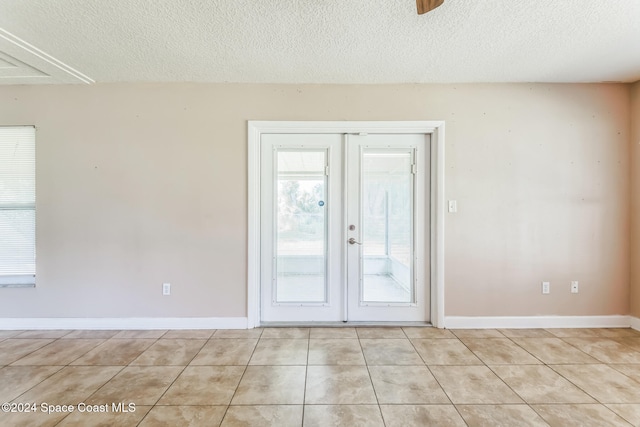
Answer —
322 377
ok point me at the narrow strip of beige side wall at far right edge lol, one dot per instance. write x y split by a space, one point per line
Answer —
635 199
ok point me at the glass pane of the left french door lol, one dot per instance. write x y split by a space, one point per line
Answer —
301 248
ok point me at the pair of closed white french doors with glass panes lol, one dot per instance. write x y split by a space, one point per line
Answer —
344 227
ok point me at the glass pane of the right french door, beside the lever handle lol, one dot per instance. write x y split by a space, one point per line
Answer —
387 224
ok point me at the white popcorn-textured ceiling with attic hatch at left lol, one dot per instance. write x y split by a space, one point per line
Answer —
318 41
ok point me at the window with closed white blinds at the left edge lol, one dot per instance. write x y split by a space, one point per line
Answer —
17 206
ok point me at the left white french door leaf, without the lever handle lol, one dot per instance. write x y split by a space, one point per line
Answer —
301 217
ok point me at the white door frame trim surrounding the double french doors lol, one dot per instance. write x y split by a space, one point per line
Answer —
435 128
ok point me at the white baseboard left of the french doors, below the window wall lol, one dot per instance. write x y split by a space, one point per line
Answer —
124 323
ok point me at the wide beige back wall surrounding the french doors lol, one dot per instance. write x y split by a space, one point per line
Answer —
144 184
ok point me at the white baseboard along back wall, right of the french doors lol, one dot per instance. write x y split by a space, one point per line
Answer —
526 322
